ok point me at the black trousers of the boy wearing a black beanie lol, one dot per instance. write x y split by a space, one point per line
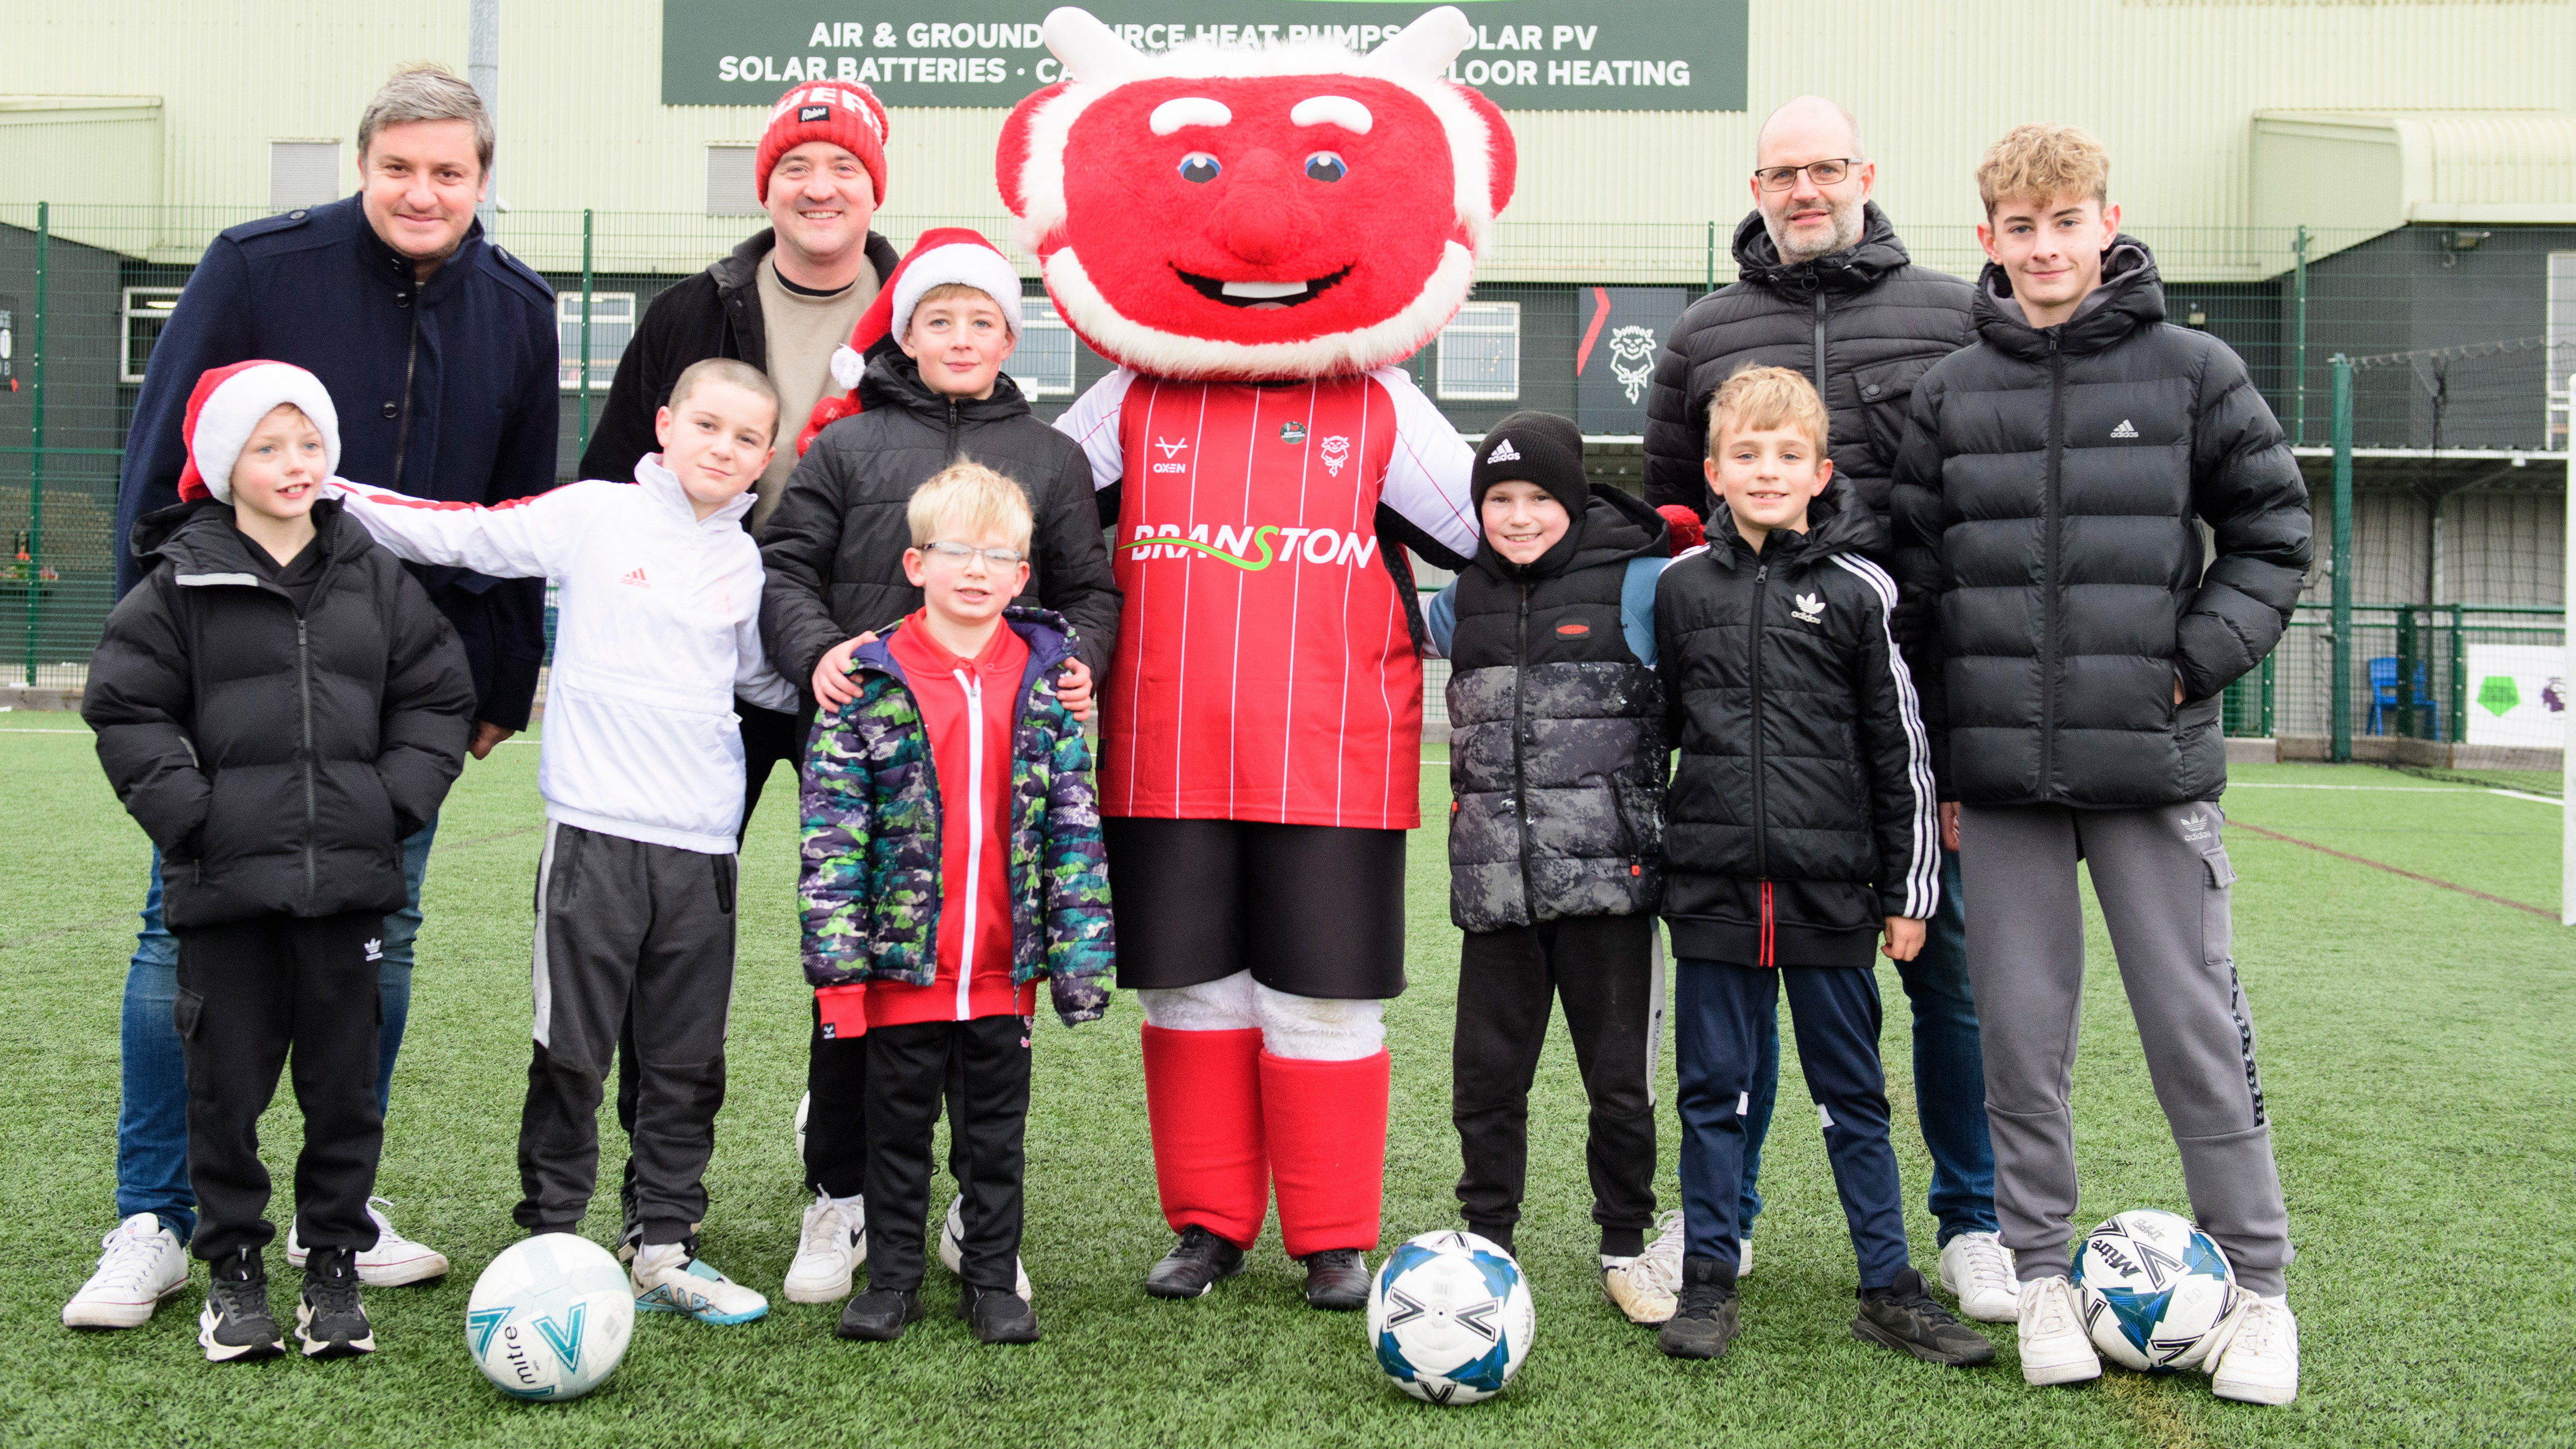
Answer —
1604 969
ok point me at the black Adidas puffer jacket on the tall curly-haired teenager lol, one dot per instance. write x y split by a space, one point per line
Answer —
2052 534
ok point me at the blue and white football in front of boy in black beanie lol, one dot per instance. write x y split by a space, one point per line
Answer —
1452 1316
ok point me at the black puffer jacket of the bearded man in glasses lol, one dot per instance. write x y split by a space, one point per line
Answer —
1864 326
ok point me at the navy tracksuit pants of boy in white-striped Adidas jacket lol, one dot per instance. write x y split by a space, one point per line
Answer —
1719 1013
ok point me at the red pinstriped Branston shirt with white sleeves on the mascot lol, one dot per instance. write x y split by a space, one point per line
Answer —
1264 660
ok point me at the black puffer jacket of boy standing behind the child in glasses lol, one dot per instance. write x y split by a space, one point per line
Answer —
836 547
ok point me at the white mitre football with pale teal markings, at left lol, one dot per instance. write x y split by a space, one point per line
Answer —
550 1319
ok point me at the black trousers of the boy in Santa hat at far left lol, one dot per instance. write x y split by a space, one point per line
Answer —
246 995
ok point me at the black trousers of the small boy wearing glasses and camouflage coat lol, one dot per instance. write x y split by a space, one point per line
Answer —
908 1075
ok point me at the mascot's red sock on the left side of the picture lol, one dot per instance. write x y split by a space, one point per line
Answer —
1204 1103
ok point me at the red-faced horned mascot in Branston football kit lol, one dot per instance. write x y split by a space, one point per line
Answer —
1256 238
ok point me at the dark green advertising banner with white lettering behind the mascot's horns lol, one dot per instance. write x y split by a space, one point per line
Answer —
1529 55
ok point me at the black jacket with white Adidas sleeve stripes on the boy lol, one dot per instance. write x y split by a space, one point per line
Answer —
1802 802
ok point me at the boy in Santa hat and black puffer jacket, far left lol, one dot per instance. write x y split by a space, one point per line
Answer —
277 704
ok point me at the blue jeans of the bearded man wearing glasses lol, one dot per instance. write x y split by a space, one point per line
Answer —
1949 1077
